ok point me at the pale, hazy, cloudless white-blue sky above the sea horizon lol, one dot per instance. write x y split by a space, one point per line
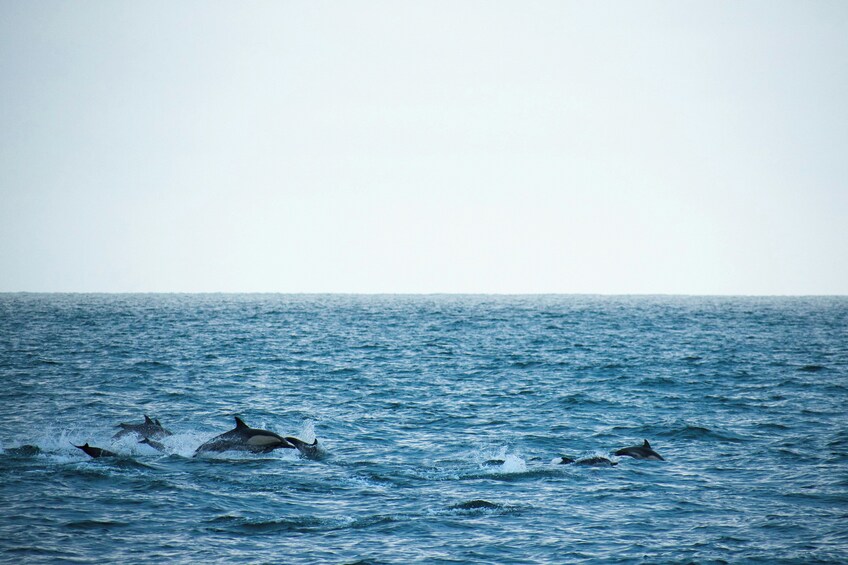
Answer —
673 147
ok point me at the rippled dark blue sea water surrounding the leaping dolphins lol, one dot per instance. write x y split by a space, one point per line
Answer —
440 419
